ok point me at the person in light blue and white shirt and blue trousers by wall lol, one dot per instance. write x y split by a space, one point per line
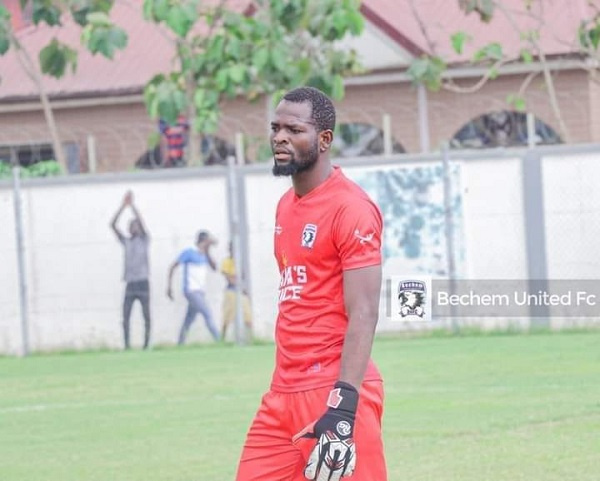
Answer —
196 262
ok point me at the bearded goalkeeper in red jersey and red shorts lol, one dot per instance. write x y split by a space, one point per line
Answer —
321 418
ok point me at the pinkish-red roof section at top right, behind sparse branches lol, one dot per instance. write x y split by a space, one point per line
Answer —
557 21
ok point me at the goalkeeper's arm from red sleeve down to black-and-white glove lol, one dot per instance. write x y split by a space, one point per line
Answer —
358 238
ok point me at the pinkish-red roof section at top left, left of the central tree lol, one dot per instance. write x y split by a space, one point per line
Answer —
150 50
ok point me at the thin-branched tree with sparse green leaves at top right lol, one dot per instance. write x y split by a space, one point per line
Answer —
429 69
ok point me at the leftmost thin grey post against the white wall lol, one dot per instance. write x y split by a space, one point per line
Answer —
20 256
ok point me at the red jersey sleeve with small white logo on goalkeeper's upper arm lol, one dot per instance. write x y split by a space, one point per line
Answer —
357 234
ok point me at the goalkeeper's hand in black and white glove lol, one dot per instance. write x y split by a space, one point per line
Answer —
334 455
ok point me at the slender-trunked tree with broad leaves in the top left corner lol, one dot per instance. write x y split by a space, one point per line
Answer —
99 36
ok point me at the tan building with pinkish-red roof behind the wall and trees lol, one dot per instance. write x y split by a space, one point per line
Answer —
103 123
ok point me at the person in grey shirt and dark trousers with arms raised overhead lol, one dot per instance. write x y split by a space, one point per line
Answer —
136 267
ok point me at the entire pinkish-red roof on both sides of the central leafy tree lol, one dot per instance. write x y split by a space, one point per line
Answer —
150 50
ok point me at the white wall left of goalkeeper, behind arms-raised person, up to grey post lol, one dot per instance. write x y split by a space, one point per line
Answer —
74 261
